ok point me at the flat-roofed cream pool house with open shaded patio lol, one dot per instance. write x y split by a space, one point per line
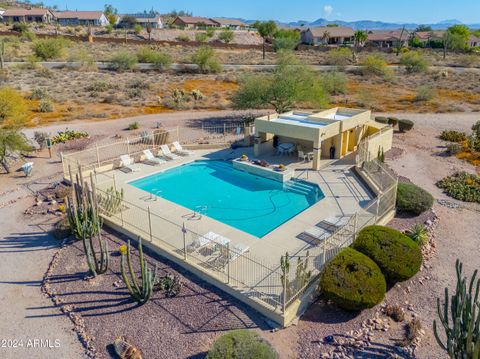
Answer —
330 134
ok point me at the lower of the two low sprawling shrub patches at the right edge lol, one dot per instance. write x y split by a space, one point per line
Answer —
462 186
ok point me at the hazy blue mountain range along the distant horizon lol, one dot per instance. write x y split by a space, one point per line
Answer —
370 24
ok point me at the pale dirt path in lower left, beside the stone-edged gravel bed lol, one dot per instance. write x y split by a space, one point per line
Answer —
27 315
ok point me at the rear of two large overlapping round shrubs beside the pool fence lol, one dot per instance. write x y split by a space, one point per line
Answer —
398 256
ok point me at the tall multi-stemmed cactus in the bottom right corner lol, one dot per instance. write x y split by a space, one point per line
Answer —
462 324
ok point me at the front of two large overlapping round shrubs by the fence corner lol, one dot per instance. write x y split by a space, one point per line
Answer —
353 281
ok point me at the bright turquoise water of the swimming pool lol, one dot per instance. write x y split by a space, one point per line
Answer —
253 204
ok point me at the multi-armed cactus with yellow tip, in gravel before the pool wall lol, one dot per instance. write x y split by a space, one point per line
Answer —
142 292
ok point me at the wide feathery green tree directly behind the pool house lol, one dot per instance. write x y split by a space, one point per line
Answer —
290 83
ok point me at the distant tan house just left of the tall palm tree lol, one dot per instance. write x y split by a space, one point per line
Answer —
326 35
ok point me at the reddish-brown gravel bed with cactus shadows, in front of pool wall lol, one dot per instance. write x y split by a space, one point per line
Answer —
178 327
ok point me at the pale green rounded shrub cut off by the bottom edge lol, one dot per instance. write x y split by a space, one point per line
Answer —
241 343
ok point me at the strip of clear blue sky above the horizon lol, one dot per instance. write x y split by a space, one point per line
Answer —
419 11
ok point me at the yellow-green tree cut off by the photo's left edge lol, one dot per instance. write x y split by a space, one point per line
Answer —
12 119
